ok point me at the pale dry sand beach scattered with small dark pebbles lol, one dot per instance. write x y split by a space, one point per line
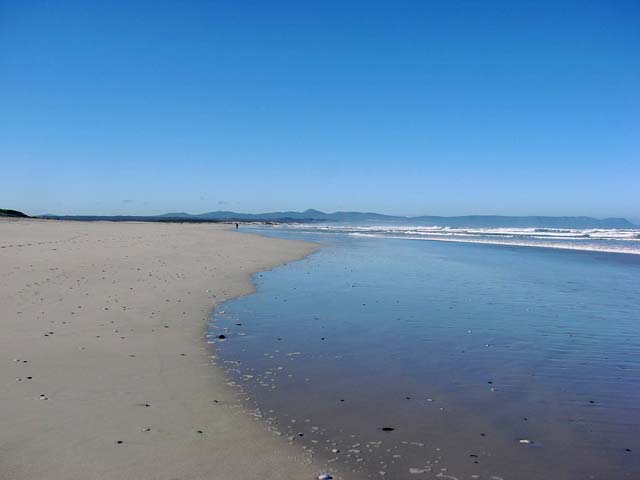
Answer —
101 338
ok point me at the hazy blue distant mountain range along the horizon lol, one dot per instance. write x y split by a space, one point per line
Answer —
474 221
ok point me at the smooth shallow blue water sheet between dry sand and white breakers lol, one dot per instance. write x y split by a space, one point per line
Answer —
487 361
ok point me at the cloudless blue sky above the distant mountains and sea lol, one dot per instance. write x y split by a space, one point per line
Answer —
424 107
